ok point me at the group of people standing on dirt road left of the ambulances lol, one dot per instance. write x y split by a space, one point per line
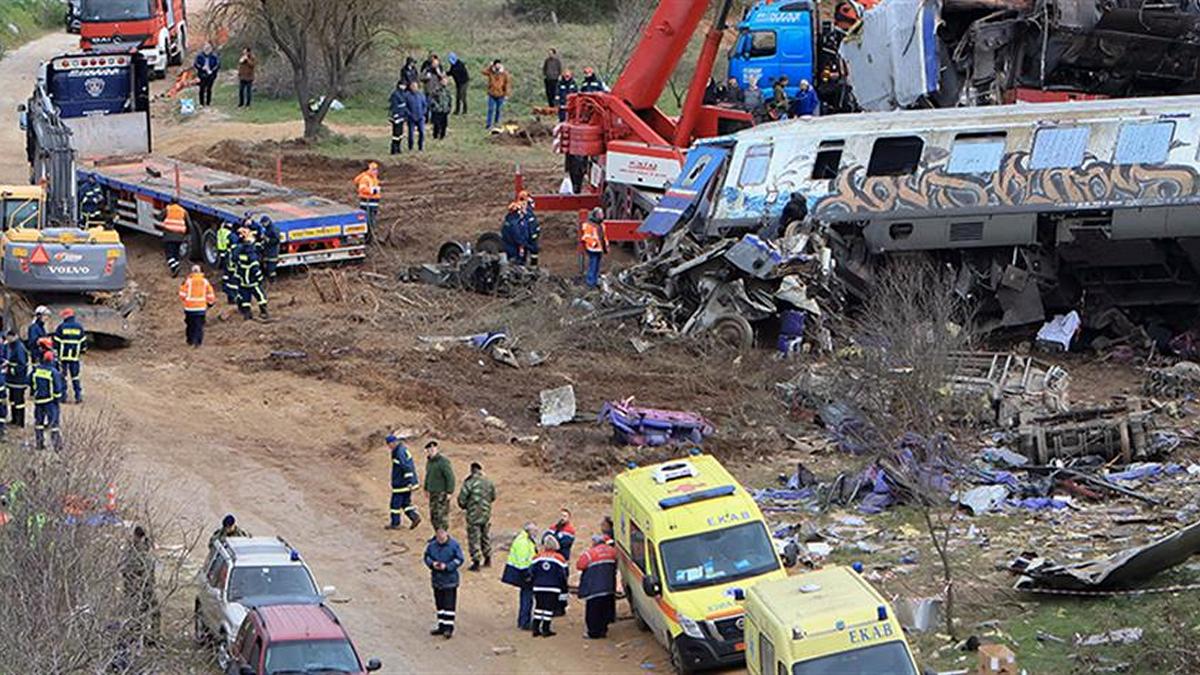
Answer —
538 563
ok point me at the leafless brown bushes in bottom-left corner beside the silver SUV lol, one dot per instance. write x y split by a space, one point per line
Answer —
79 595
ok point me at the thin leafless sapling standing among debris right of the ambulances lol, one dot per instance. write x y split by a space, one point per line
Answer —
896 385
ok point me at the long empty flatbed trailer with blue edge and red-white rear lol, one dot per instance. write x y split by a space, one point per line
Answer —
313 230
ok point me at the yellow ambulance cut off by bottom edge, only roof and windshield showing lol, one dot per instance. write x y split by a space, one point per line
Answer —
824 623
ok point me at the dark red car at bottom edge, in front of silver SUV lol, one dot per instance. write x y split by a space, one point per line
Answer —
296 638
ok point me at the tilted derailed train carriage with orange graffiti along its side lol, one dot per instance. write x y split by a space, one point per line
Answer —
1036 206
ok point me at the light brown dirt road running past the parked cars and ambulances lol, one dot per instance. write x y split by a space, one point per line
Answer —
302 458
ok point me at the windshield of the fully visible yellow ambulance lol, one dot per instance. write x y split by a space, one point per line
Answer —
718 557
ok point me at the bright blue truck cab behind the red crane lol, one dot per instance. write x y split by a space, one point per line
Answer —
776 38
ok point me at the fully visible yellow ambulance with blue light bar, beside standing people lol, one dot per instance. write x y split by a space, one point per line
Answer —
692 542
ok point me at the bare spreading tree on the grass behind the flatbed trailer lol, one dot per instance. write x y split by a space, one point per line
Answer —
325 37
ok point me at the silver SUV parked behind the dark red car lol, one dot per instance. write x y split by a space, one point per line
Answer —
241 575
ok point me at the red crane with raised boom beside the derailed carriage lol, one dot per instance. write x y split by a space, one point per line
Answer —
621 150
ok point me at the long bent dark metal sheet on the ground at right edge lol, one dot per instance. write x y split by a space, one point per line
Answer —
1120 571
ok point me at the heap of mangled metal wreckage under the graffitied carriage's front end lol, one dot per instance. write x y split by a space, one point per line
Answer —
740 289
